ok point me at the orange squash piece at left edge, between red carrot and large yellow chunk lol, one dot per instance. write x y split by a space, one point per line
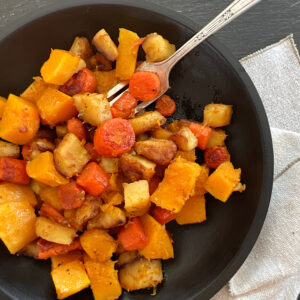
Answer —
10 192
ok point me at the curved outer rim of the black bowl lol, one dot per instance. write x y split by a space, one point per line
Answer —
265 134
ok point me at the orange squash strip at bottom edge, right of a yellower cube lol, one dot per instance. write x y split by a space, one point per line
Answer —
104 279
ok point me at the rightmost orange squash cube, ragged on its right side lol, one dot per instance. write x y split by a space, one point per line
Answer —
222 181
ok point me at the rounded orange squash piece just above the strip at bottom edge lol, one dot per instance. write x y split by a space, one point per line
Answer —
98 244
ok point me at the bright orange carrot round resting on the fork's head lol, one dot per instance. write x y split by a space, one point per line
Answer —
144 85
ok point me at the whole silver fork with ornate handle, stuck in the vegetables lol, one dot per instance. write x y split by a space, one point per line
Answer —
163 68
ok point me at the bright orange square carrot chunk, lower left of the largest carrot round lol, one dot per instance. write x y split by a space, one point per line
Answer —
93 179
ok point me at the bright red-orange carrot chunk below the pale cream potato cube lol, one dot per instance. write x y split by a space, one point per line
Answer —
132 236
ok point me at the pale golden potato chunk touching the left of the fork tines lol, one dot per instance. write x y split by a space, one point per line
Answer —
93 108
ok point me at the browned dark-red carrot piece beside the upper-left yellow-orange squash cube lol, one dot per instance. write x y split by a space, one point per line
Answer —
82 82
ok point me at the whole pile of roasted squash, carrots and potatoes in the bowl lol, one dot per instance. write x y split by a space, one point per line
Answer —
90 185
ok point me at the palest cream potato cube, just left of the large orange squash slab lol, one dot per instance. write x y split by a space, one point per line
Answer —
137 197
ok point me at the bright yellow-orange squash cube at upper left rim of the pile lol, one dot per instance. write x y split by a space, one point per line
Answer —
61 66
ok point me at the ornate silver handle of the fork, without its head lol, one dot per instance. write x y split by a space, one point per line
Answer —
232 11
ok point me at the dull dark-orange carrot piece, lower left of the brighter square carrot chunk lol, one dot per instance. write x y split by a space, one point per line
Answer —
70 195
